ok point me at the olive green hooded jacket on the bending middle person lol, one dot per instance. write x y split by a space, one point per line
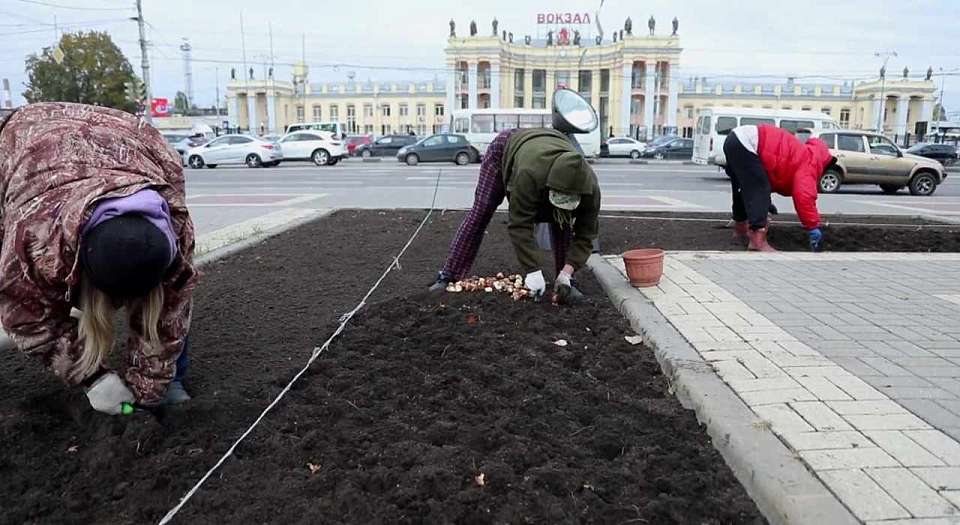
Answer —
534 162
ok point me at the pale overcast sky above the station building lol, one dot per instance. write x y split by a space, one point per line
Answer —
405 40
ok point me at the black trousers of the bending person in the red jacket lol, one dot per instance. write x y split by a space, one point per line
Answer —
748 182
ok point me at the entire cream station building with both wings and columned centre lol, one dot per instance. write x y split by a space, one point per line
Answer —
628 77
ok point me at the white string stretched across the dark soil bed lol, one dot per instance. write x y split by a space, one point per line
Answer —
313 357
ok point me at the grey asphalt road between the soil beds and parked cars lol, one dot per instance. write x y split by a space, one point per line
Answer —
231 194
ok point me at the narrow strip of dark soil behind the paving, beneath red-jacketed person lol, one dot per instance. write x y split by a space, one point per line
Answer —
710 231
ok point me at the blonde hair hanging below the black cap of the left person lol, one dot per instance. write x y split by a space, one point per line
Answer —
96 323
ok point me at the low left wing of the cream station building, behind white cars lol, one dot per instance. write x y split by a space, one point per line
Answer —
376 108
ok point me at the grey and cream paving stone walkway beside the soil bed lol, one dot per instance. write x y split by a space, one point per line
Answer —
853 359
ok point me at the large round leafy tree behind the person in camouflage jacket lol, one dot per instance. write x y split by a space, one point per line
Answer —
93 71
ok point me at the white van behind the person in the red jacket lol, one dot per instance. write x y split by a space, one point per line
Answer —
713 125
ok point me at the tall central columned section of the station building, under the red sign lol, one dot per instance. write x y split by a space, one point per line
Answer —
628 80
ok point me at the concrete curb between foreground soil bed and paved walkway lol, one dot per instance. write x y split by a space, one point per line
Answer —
784 490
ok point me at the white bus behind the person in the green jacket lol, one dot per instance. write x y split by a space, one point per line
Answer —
480 126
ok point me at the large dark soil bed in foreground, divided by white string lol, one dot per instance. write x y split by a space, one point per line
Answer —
401 415
